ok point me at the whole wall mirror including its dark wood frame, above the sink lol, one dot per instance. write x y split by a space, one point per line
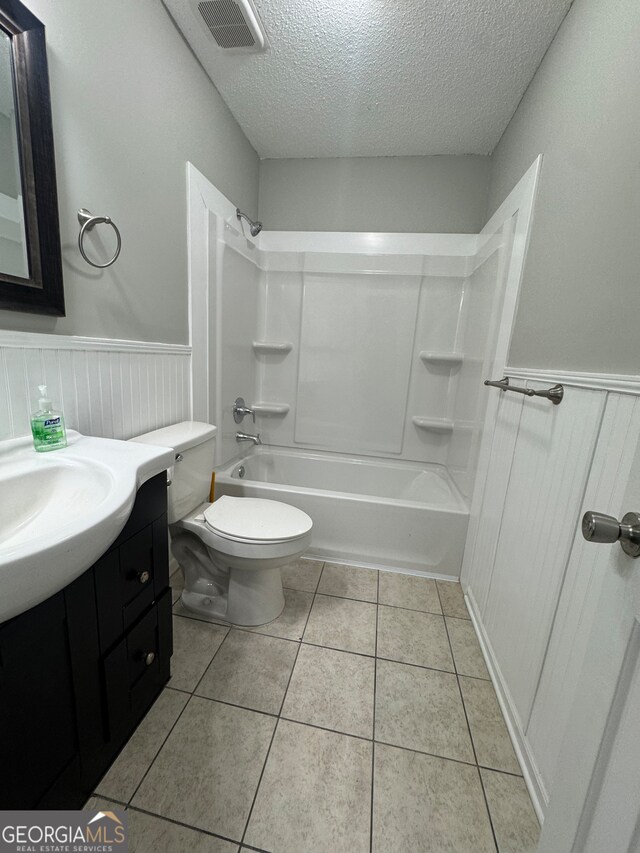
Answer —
30 260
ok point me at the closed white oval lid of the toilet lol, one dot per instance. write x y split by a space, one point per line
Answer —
256 520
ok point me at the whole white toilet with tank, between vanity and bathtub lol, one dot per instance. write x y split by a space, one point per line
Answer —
231 550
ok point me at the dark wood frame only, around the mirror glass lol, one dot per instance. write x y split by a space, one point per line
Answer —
43 291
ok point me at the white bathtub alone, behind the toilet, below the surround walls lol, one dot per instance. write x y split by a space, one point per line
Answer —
371 512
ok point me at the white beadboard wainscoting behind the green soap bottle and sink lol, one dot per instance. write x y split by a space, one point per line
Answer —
107 388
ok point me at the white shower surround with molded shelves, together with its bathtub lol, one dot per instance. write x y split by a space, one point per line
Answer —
363 357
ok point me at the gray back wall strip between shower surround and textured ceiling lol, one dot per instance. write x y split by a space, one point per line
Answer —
432 194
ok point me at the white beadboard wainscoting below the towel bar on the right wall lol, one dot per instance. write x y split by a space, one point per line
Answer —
527 570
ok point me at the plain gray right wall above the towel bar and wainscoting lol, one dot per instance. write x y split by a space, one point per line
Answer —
580 298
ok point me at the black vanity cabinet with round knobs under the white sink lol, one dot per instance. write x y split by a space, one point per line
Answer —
79 671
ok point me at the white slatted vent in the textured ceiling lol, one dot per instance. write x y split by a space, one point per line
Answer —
234 24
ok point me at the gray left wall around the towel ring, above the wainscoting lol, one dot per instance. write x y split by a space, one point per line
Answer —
130 106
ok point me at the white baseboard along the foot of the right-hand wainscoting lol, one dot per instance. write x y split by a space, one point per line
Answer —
530 772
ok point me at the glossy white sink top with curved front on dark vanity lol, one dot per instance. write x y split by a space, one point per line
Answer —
61 510
